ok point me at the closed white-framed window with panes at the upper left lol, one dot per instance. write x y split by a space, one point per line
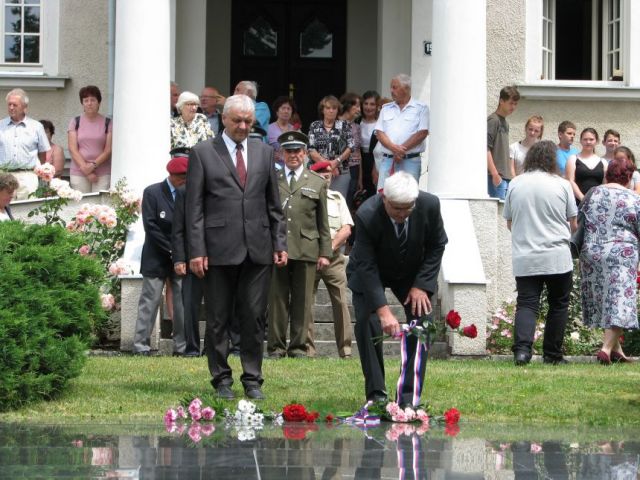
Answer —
22 32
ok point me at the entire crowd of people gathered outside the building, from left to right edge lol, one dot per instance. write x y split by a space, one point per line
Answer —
253 214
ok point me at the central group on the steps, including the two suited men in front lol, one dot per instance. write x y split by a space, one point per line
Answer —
253 215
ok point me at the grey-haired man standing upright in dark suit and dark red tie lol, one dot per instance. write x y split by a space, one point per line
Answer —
235 231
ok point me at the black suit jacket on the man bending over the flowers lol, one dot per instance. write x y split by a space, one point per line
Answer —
375 262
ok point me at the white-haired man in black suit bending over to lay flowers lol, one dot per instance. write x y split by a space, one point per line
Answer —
400 244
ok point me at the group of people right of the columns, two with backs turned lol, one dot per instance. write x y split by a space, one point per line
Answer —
547 187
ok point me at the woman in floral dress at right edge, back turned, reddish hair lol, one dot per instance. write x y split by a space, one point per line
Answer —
609 259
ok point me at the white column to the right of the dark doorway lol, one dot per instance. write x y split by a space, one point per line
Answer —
458 126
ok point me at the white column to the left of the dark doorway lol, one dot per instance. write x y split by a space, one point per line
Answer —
141 93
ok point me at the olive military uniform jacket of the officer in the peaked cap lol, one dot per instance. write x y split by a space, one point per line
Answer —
305 210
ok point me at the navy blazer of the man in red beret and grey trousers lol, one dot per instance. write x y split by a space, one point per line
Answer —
157 218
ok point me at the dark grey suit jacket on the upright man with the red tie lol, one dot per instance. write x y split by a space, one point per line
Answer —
224 221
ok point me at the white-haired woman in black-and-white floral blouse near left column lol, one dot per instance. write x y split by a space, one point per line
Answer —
189 127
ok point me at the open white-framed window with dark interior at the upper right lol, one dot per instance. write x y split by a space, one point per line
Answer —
582 40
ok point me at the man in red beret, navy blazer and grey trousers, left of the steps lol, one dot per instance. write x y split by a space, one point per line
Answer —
156 264
